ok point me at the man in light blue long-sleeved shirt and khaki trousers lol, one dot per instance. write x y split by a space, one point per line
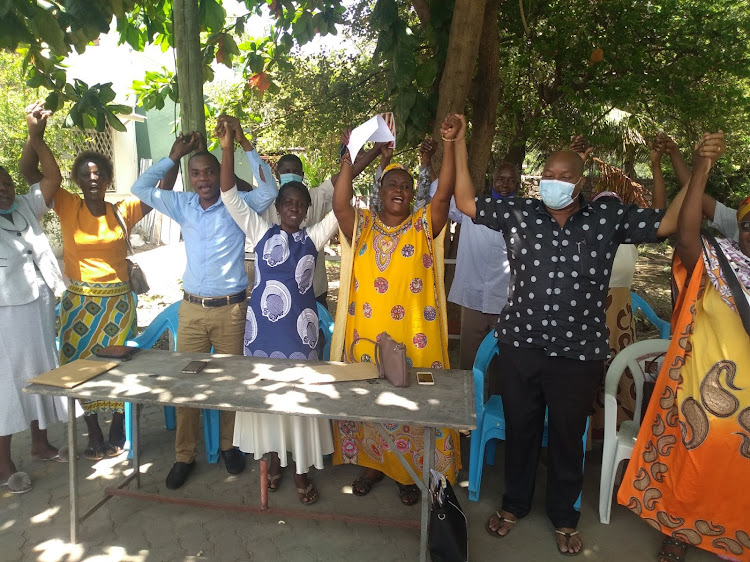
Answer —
214 305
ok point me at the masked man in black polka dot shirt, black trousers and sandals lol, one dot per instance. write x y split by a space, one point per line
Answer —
552 334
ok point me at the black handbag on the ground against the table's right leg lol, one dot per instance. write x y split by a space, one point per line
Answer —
447 538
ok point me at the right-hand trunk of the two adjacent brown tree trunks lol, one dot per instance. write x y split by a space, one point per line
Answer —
487 87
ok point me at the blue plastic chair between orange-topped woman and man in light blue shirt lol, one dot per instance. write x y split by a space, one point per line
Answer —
167 321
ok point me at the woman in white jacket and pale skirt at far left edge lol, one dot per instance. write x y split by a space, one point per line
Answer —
29 280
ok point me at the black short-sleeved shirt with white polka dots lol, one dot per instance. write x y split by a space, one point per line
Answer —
560 275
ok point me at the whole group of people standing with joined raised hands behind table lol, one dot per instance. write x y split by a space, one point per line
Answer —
542 272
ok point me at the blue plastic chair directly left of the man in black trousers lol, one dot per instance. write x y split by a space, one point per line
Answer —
491 420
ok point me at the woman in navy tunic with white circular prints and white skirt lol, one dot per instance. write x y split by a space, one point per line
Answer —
282 320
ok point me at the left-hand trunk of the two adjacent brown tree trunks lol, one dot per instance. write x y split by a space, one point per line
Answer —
463 46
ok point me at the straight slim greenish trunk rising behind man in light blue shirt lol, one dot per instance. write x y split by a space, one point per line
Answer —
189 70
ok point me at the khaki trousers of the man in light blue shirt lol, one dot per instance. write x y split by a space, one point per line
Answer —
199 329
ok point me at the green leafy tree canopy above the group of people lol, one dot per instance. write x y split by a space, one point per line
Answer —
528 74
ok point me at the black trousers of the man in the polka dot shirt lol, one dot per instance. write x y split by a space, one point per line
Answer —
532 381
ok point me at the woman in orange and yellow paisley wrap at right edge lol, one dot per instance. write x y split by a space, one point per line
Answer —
692 455
